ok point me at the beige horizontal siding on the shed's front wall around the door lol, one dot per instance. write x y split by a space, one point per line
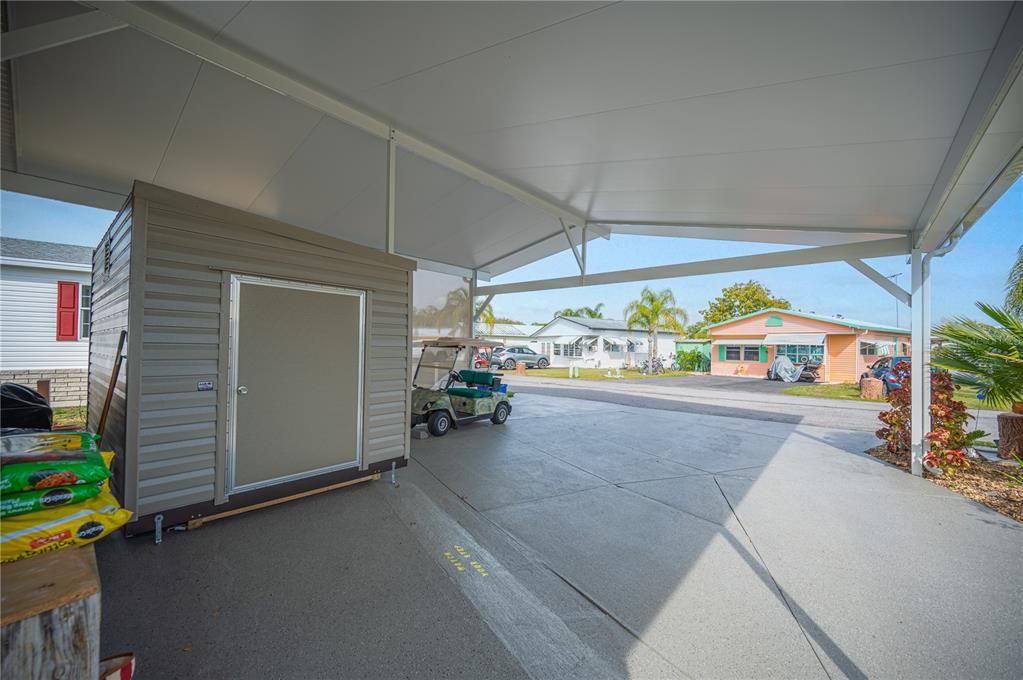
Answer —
188 254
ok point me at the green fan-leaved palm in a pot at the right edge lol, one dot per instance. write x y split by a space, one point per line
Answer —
989 357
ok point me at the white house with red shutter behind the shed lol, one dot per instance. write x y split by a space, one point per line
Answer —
46 297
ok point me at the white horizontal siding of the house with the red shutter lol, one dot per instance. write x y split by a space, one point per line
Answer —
29 328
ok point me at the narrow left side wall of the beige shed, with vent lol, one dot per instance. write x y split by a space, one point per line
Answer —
110 318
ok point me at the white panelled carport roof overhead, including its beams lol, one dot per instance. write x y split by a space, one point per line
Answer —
880 125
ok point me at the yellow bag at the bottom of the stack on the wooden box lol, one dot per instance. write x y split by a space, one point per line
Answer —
35 533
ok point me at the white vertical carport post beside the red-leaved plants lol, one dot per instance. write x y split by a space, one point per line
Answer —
920 374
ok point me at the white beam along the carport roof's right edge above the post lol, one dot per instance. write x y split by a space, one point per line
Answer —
1004 66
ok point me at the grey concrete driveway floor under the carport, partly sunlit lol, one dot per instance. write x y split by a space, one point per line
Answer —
588 539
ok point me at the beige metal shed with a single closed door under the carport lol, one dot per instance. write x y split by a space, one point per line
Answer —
263 360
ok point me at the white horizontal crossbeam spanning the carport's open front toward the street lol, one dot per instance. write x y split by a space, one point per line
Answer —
808 256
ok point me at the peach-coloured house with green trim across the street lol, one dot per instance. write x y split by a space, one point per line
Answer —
748 345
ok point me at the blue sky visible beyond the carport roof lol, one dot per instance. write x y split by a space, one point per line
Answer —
975 270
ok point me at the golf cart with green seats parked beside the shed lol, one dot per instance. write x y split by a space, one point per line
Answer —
444 397
